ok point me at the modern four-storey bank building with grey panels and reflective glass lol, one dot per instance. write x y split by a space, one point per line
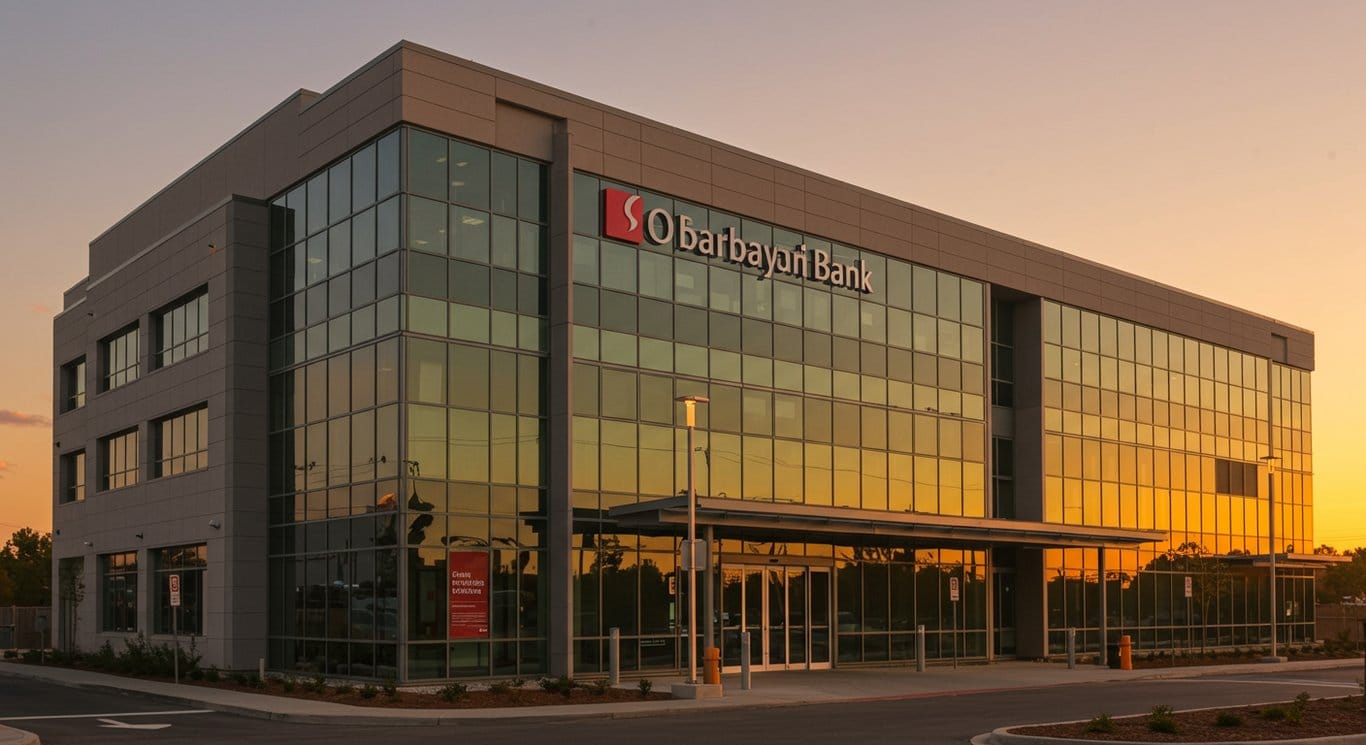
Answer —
389 383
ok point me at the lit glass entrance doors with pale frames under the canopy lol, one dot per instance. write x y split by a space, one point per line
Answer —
785 609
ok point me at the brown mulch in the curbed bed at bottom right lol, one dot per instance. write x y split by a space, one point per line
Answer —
1323 718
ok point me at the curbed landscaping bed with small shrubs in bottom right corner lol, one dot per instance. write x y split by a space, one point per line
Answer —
1302 718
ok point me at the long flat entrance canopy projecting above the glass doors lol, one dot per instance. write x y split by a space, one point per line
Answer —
786 521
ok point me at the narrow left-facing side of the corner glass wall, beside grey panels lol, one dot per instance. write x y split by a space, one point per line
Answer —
335 448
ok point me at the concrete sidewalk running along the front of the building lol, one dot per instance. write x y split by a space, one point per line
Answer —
770 690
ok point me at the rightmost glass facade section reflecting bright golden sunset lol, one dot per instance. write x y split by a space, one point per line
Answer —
1156 431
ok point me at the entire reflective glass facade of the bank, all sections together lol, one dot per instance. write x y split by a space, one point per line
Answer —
410 441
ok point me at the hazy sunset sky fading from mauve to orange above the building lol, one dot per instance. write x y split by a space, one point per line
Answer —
1215 147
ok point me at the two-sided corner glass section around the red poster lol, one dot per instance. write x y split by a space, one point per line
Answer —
409 427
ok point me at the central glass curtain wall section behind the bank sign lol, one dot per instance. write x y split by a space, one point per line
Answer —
820 396
